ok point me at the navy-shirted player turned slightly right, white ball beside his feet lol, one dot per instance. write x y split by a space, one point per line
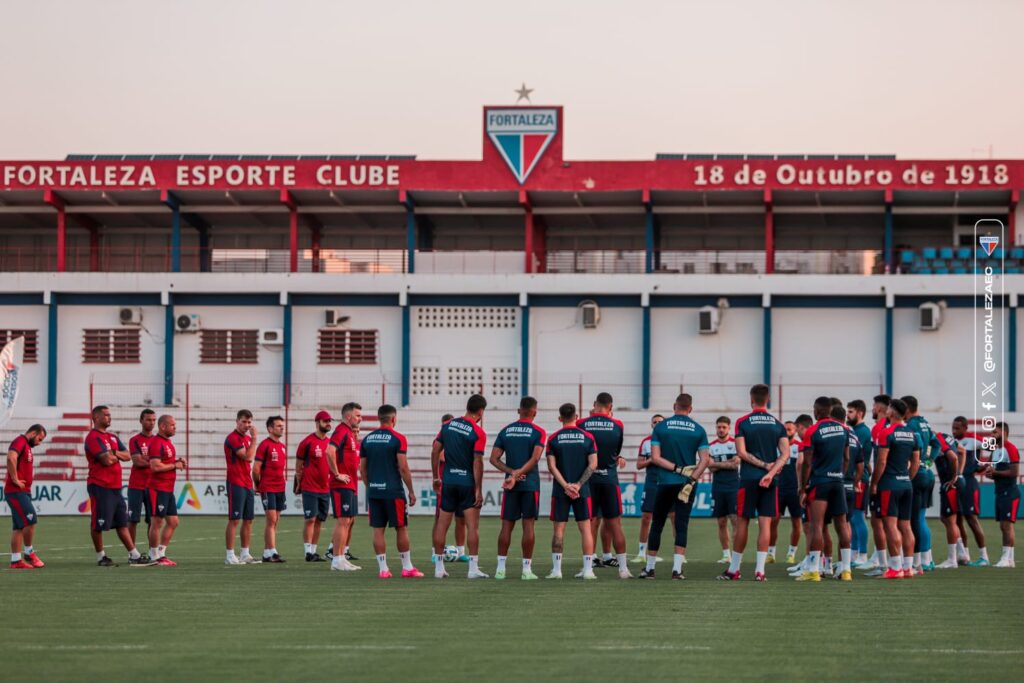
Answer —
463 442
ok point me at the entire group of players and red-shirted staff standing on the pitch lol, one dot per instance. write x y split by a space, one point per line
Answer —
828 469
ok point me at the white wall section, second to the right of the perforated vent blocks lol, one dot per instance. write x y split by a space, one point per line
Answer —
716 370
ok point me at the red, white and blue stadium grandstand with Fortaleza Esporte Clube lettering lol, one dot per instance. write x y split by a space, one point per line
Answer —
202 284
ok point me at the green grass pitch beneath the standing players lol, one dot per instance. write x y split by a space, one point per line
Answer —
203 621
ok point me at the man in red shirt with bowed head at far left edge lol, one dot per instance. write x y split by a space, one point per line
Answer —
18 491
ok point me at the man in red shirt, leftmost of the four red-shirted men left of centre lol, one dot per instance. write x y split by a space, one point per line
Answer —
240 450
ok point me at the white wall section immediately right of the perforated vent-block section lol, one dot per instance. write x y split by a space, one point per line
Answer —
564 355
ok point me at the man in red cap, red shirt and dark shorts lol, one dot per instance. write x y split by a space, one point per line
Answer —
314 478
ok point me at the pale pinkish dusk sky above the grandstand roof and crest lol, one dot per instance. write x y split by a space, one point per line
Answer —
916 78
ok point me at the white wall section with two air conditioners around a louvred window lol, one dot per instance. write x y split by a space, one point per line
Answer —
223 385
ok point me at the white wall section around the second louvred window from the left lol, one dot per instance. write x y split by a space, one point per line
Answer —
135 382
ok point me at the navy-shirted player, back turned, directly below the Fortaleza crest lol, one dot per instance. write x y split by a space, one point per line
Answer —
523 445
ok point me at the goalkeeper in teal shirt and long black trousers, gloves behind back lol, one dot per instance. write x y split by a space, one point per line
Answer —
679 449
